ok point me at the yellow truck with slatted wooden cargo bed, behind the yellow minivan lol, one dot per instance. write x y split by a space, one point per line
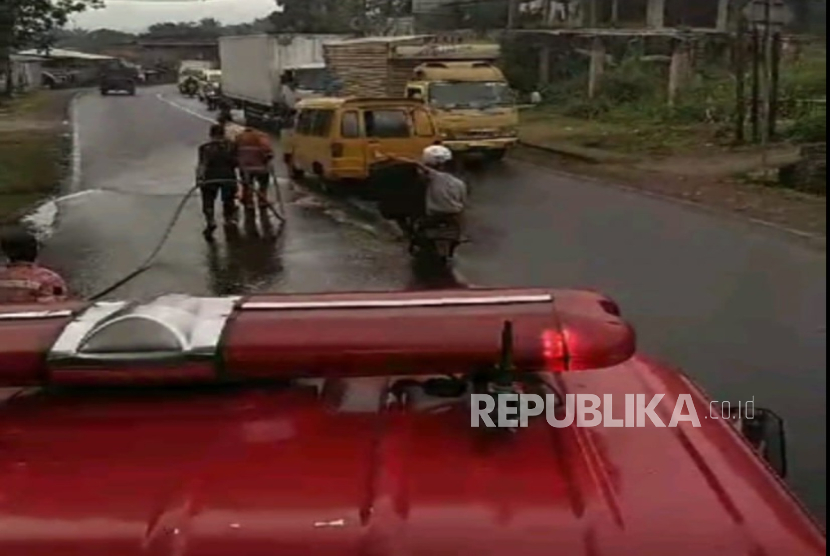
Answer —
468 95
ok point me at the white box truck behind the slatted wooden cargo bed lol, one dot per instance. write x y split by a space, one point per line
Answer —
257 71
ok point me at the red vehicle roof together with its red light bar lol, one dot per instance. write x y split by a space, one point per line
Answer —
324 465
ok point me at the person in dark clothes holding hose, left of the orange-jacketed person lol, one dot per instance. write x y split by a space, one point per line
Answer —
216 175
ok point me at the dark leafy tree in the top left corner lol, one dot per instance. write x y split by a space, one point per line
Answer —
33 23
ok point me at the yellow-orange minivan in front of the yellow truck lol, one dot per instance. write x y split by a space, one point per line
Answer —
340 138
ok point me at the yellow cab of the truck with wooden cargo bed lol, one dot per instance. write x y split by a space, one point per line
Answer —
472 103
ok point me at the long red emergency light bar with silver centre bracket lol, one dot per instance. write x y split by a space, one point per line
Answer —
177 339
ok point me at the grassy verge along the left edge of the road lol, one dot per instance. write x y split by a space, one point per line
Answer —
31 150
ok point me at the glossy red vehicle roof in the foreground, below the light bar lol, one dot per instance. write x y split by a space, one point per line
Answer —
291 473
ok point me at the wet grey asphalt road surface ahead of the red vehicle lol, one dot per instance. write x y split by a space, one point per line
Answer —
739 307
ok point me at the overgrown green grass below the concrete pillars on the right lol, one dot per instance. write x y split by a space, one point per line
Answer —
631 115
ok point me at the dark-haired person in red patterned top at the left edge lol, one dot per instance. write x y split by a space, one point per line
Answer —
22 280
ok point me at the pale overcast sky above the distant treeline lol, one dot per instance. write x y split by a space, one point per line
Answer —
137 15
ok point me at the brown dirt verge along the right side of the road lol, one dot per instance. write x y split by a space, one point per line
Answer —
691 163
